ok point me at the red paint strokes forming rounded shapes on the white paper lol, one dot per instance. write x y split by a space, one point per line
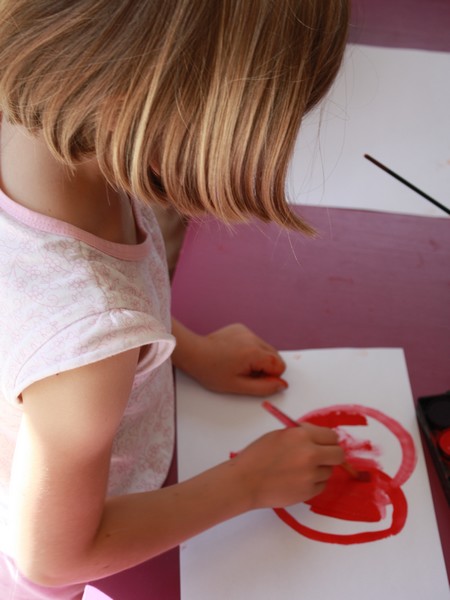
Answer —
350 500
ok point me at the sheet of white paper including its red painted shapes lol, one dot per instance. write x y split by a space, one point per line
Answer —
357 539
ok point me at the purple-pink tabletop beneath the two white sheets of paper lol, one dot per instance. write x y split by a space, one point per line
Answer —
371 279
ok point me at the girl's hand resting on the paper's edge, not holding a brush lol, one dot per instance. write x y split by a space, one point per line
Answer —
231 360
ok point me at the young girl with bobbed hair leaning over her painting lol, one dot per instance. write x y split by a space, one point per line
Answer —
107 107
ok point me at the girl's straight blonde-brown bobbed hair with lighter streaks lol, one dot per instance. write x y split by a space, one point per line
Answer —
192 103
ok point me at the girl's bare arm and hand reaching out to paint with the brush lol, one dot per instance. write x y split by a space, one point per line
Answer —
66 531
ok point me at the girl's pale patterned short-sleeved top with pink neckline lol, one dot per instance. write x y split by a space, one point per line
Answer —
68 299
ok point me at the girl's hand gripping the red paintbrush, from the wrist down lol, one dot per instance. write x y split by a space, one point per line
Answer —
288 466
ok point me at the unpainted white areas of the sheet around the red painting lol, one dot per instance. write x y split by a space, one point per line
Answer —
256 556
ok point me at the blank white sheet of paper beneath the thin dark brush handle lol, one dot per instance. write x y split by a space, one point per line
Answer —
389 103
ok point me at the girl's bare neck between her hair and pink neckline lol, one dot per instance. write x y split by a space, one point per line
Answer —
31 176
